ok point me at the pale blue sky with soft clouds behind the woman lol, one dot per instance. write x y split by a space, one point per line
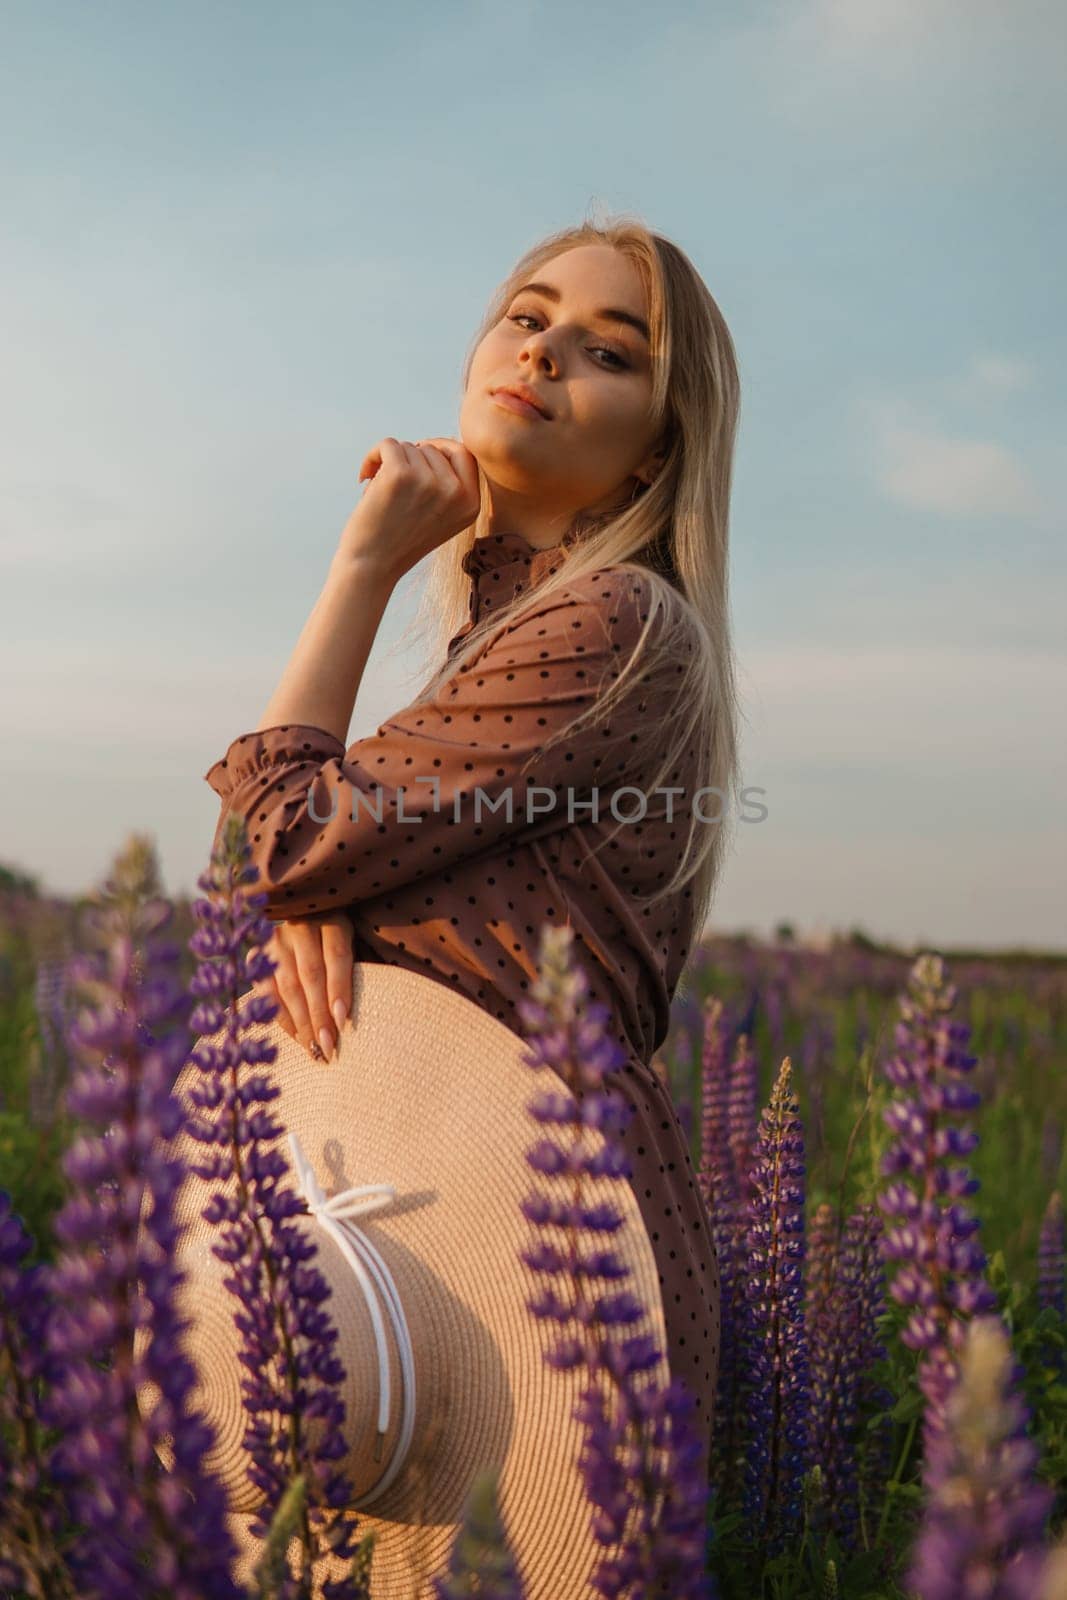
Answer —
241 244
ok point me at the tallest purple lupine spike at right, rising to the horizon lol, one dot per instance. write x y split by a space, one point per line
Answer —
943 1265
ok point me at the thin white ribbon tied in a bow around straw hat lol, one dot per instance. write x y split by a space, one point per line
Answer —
337 1217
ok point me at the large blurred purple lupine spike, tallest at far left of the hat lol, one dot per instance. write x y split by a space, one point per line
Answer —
148 1532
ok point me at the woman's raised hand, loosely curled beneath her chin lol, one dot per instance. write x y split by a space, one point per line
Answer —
418 498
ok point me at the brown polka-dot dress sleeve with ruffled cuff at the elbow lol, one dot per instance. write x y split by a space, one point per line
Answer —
442 780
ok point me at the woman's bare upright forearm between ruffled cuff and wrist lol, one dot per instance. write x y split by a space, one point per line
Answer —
326 671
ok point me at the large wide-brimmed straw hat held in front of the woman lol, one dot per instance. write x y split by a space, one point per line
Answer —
428 1095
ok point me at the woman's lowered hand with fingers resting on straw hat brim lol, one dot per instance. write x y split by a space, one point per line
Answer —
313 980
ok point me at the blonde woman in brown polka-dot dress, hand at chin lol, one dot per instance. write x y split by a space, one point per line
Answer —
588 695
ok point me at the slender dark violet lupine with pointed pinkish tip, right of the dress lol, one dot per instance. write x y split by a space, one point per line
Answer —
775 1343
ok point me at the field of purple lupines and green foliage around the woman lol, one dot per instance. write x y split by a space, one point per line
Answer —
879 1140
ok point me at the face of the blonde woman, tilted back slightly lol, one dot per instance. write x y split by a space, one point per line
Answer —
591 369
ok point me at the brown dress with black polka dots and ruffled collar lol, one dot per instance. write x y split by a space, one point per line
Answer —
460 894
